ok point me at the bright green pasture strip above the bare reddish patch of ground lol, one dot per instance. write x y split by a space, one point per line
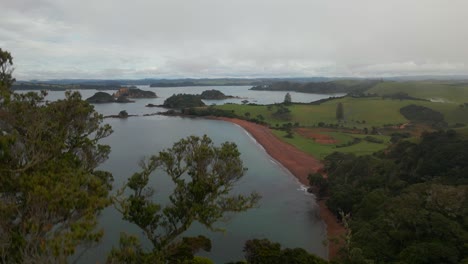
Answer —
374 111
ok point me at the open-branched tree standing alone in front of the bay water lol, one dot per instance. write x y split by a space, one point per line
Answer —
203 175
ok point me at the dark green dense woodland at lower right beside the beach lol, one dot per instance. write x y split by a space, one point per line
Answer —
411 201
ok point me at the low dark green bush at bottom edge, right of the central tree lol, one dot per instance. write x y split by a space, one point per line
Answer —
262 251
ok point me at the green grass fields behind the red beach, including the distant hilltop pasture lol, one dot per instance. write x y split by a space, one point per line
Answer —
365 112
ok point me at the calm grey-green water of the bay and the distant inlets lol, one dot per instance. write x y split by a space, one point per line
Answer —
286 213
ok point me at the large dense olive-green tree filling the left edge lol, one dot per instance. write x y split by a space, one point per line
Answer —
50 190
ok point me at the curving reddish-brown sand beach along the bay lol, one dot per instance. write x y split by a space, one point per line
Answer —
300 164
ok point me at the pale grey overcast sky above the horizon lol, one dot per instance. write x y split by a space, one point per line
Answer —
130 39
